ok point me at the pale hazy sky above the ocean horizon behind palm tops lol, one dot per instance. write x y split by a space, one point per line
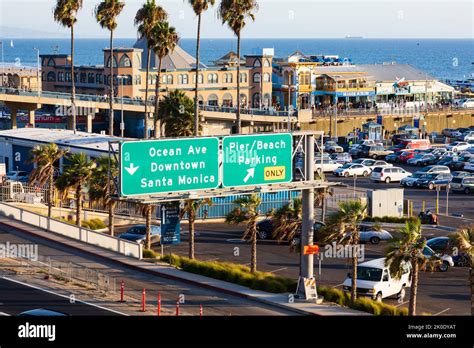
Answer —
274 19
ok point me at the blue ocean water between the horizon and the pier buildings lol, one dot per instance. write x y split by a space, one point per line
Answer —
442 58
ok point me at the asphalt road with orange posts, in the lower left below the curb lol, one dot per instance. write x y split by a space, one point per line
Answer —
213 303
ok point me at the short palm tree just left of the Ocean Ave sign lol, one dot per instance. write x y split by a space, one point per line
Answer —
102 186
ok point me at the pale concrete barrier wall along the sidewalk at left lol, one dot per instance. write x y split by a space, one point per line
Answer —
85 235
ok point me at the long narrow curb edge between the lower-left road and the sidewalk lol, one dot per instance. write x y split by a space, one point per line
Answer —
163 275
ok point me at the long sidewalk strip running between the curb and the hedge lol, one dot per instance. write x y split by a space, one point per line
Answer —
161 269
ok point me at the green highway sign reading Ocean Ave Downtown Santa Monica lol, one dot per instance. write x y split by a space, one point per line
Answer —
158 166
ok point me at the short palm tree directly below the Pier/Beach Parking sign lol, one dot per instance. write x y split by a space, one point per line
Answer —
247 212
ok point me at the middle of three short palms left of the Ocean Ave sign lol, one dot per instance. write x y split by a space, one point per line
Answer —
76 174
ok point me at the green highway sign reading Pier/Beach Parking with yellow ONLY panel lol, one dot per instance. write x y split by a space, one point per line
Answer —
257 159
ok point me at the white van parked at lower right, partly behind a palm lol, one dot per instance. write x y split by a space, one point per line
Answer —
374 280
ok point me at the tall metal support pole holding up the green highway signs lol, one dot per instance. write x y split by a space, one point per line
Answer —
307 232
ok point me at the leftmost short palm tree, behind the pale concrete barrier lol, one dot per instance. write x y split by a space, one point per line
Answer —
45 157
